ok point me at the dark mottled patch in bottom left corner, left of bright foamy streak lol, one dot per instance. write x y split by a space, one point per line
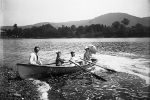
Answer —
12 87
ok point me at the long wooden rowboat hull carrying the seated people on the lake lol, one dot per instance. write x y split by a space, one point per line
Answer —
27 71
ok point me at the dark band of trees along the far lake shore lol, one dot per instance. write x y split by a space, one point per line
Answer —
117 30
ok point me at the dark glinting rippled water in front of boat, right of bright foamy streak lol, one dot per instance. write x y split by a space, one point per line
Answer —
82 86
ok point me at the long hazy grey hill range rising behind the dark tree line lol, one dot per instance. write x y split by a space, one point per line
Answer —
106 19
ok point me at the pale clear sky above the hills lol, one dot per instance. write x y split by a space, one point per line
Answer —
26 12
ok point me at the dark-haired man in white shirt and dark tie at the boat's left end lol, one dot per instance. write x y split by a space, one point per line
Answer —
34 59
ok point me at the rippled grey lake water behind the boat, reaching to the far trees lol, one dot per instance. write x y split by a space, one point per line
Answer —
17 50
